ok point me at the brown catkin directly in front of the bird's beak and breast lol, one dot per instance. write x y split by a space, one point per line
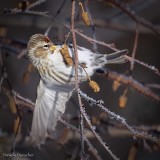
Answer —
65 53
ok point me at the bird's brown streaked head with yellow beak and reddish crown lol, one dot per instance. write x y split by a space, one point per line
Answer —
39 46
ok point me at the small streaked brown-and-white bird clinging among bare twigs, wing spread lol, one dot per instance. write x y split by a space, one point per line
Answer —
57 81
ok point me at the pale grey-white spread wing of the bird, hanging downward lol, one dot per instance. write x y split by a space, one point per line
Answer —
50 104
